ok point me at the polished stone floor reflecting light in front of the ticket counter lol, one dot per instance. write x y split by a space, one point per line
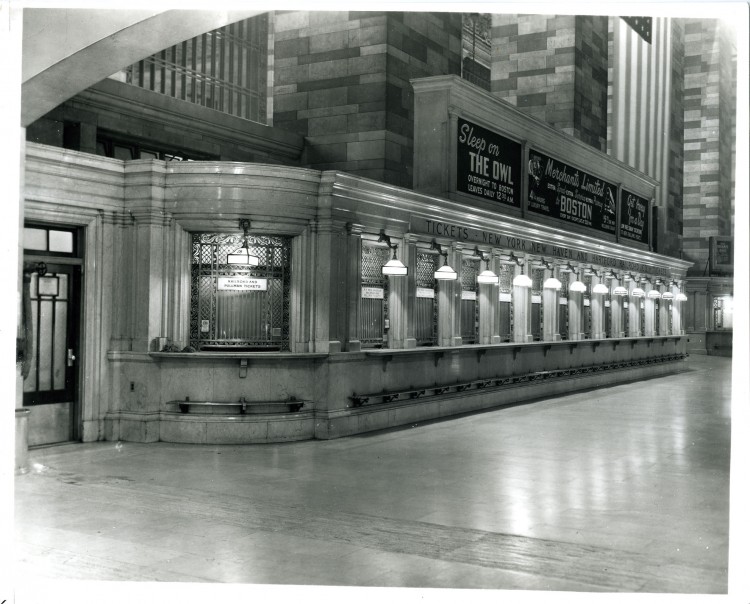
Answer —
620 489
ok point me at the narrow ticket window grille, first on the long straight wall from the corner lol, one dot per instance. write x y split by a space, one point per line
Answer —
374 297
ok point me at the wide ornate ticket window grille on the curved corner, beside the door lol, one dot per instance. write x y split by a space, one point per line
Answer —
238 307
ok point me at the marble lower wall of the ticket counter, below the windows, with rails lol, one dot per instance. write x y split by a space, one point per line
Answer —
353 392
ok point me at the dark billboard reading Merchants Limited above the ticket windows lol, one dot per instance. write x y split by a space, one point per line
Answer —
567 193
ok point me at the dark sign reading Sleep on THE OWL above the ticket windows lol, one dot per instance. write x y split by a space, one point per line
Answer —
488 165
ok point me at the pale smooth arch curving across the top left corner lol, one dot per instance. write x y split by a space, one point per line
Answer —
67 50
